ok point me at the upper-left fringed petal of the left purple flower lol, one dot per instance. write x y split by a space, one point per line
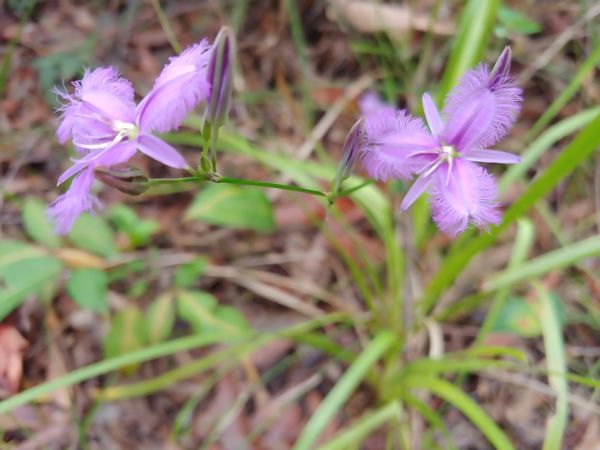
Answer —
100 97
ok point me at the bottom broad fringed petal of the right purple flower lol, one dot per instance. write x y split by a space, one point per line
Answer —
467 196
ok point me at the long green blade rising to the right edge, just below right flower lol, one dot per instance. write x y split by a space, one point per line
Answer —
583 146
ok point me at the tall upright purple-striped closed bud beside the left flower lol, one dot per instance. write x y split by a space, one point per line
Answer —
220 77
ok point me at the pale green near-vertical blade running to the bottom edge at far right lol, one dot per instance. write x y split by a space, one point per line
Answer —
556 361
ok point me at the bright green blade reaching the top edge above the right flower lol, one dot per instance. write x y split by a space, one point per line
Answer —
474 31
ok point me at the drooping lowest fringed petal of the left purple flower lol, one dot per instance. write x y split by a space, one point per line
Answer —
78 199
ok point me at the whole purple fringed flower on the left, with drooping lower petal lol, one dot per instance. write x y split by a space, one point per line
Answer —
107 128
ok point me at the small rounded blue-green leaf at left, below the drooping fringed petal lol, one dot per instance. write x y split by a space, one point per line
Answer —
88 288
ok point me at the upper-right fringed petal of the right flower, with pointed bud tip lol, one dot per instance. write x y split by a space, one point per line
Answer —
478 85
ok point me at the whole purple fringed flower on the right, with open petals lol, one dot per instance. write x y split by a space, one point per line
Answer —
478 113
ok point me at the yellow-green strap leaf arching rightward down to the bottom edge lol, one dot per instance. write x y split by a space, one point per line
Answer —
464 404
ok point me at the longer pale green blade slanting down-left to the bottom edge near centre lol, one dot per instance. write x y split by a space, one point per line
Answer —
342 390
